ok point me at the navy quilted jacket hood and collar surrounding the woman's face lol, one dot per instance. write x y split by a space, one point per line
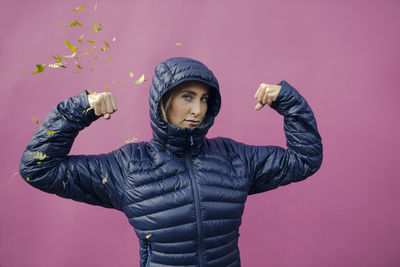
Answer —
168 74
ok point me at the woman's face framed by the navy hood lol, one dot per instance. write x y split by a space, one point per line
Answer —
188 106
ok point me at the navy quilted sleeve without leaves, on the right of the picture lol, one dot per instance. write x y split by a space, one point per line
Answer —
273 166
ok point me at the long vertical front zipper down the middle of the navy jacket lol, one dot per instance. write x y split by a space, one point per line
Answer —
197 209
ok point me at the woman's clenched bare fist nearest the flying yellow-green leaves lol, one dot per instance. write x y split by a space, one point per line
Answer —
102 103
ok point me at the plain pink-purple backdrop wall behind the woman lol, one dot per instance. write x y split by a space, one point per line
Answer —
342 56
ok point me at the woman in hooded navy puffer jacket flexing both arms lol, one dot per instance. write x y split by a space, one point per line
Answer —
183 193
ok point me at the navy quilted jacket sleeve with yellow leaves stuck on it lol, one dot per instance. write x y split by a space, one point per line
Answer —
96 179
